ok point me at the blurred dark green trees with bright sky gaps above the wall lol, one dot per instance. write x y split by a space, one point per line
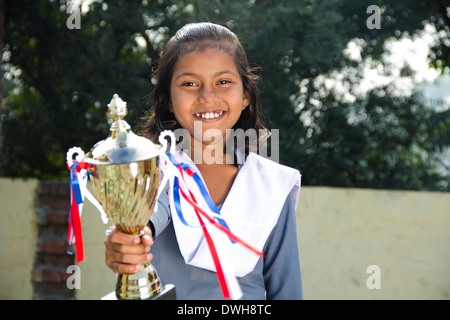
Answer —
360 90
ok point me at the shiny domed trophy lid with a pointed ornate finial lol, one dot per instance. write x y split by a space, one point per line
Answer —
122 145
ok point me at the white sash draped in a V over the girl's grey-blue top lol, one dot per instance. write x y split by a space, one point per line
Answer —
251 210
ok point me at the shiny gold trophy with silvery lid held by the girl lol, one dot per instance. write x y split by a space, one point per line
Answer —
125 179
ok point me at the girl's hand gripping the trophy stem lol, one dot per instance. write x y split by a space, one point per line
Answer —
126 253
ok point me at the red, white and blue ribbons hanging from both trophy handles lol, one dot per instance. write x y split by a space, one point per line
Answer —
183 180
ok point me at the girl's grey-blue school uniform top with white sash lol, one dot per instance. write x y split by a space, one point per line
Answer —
260 209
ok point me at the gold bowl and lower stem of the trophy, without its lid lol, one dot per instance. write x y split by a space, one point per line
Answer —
127 193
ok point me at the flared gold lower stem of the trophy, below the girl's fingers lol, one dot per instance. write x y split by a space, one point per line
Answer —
143 285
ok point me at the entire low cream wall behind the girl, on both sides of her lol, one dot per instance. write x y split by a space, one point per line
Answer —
340 231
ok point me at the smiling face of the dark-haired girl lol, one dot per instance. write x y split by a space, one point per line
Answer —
206 89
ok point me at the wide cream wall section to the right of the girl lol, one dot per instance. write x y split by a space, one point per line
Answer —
406 234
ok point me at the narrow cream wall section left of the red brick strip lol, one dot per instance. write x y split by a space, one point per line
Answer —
17 237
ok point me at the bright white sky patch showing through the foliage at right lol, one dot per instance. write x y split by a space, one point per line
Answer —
413 51
